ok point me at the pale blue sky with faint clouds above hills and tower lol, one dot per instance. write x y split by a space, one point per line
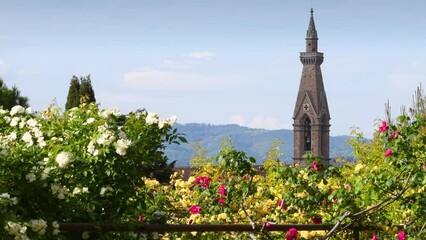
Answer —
217 62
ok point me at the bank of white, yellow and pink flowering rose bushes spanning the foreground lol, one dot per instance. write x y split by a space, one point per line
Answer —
87 165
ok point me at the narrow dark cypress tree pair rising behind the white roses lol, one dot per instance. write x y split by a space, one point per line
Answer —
80 91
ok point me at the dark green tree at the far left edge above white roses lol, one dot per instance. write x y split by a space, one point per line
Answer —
11 97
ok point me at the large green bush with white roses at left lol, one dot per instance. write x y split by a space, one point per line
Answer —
82 165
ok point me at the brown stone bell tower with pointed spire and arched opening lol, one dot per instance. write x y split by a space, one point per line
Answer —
311 117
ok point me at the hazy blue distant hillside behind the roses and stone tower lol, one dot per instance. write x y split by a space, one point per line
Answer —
255 142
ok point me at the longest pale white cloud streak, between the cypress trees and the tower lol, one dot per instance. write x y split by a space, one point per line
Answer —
153 79
